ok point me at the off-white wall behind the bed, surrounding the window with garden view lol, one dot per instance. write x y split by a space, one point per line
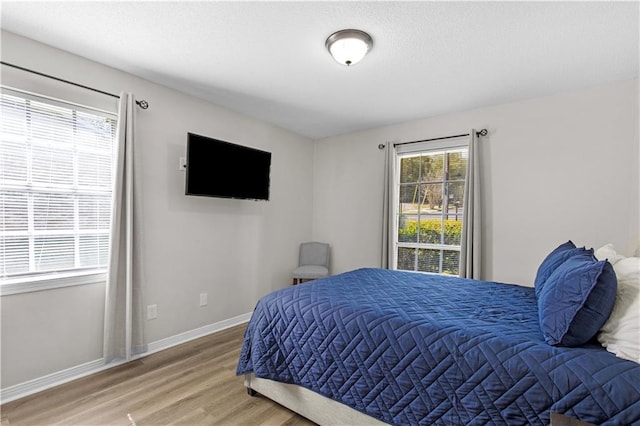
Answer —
554 168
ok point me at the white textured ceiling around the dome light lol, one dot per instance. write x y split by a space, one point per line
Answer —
268 60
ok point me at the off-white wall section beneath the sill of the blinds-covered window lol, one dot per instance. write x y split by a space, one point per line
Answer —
49 331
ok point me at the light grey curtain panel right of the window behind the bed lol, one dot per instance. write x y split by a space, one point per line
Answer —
470 251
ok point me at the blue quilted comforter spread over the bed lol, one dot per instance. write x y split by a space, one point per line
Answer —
410 348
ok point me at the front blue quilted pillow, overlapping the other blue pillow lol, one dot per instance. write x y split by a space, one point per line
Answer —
576 300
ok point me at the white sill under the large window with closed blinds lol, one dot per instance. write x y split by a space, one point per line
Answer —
31 284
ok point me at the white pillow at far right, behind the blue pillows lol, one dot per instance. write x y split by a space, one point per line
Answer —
621 333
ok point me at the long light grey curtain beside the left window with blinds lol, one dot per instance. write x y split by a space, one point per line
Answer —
123 334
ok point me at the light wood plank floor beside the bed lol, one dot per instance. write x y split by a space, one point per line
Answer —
190 384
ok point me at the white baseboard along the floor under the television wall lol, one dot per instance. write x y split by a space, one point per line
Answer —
30 387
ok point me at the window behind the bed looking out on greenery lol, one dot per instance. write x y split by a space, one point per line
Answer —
428 207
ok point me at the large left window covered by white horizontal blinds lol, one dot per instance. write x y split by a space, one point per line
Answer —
55 186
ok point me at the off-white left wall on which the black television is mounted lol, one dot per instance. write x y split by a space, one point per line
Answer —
235 250
